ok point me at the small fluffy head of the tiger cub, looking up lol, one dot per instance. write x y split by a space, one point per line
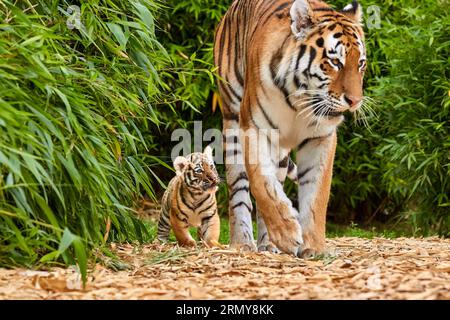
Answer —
198 171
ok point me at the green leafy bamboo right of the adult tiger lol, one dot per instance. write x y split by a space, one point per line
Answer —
401 167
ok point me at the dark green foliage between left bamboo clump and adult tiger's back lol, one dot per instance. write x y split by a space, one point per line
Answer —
187 33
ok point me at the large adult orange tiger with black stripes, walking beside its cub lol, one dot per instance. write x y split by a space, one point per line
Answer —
295 67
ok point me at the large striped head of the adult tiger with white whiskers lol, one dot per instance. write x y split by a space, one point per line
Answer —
331 58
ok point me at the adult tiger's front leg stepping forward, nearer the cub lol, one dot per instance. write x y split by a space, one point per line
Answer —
273 205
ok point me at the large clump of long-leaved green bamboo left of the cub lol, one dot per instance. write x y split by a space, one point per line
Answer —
74 108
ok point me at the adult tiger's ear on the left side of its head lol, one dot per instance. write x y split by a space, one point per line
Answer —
303 18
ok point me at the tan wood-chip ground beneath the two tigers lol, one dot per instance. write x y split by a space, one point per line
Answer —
354 269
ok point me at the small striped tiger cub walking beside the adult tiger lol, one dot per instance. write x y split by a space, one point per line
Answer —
190 201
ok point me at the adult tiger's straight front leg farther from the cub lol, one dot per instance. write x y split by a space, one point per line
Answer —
315 157
